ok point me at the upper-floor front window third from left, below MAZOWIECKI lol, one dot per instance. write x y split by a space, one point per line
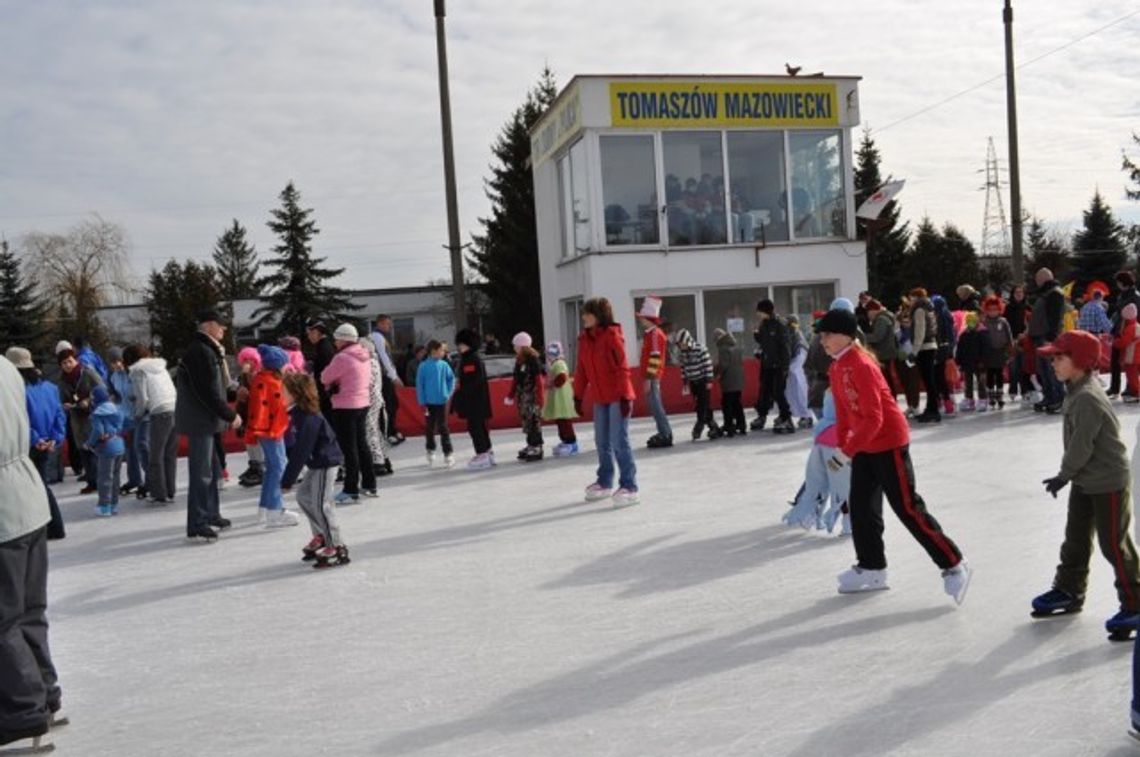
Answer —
756 177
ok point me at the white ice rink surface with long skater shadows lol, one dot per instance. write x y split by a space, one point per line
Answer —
495 614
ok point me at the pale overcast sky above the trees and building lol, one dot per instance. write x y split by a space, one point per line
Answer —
175 118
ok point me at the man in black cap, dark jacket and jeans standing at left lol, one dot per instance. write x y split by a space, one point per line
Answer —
201 412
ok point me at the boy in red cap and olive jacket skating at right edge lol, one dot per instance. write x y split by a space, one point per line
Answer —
1096 463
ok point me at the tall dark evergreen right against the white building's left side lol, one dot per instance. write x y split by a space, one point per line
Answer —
507 255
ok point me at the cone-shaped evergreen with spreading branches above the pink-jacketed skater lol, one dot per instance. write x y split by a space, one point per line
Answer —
298 288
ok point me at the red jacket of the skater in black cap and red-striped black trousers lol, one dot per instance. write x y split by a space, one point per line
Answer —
868 417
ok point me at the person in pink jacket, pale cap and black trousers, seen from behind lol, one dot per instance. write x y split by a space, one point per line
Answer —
348 380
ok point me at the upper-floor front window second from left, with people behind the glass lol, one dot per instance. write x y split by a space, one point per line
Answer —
695 188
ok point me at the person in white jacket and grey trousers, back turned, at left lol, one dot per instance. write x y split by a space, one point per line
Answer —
154 405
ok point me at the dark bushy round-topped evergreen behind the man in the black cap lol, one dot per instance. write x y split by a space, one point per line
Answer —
173 299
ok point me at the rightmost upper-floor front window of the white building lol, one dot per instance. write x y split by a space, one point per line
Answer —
819 207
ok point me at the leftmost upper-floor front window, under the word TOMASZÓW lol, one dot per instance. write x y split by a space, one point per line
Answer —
630 190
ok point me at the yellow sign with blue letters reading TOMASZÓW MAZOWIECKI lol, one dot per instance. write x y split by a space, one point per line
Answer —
685 104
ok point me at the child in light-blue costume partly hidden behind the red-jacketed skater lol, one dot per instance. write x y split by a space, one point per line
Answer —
823 486
